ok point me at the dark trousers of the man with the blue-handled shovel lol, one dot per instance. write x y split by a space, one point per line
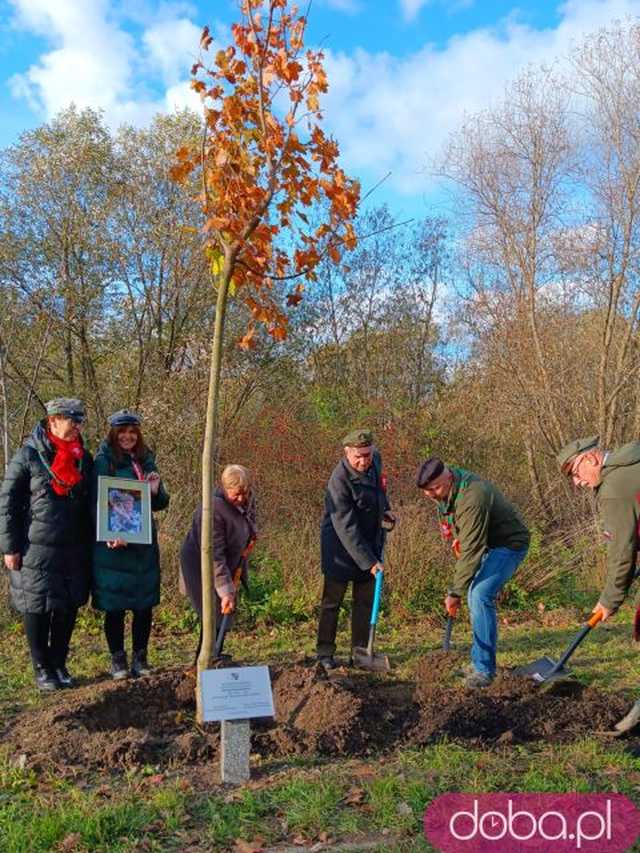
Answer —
332 595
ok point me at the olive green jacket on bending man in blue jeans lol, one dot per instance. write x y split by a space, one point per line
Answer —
481 518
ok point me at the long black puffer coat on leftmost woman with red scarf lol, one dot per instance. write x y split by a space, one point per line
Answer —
53 533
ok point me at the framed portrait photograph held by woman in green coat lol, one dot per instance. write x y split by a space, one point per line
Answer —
124 510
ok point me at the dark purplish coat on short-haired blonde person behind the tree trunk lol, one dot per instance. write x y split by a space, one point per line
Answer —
233 528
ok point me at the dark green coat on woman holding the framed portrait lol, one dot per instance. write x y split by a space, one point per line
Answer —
126 578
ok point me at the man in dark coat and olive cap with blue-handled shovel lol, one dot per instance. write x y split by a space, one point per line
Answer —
352 540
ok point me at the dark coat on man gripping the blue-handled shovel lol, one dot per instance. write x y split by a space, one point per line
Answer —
351 534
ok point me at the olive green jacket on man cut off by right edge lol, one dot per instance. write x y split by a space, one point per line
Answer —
618 499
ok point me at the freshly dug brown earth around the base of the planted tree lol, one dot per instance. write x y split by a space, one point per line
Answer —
150 721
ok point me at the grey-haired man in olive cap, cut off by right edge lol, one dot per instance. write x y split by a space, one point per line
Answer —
614 477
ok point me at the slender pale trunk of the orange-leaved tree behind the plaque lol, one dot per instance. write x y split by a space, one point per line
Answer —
208 452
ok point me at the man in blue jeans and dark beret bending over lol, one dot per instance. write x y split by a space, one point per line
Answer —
489 539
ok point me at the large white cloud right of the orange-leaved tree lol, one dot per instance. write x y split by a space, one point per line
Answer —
395 113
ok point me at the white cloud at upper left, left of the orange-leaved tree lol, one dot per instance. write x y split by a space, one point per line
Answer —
95 62
